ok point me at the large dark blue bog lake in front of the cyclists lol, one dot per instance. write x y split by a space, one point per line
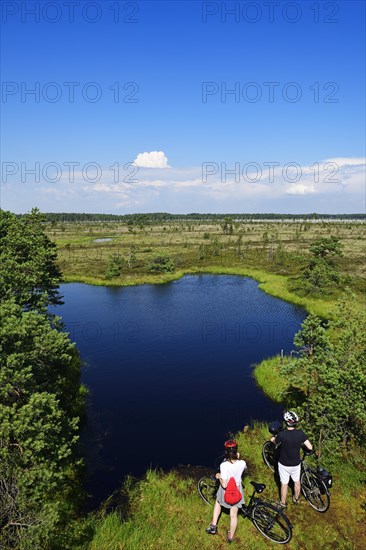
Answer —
169 369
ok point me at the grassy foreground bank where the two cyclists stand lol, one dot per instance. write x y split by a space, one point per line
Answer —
165 511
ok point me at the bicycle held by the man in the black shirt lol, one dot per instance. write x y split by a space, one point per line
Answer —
315 482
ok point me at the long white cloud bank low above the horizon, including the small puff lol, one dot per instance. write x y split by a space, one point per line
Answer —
335 185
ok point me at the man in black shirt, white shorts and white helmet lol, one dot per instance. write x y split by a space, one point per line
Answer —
289 462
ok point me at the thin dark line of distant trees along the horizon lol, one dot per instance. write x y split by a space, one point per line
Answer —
161 217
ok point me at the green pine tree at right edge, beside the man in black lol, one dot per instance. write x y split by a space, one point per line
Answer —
327 382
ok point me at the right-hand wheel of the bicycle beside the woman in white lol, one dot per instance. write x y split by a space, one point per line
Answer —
271 522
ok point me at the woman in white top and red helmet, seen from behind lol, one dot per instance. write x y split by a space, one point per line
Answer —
231 467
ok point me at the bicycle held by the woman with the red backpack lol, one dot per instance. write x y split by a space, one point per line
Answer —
268 518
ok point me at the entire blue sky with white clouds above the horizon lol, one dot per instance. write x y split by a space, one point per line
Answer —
291 132
